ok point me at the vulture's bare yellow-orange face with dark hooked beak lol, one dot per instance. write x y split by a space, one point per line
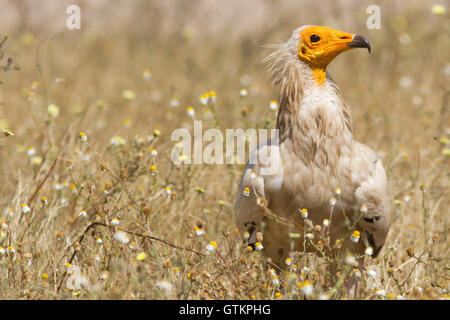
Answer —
320 45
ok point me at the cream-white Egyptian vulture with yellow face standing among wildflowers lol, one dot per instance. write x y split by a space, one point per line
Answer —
318 165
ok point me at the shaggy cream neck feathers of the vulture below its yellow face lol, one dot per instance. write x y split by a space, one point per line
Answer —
312 114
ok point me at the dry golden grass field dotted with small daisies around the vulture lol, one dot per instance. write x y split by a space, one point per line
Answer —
399 99
